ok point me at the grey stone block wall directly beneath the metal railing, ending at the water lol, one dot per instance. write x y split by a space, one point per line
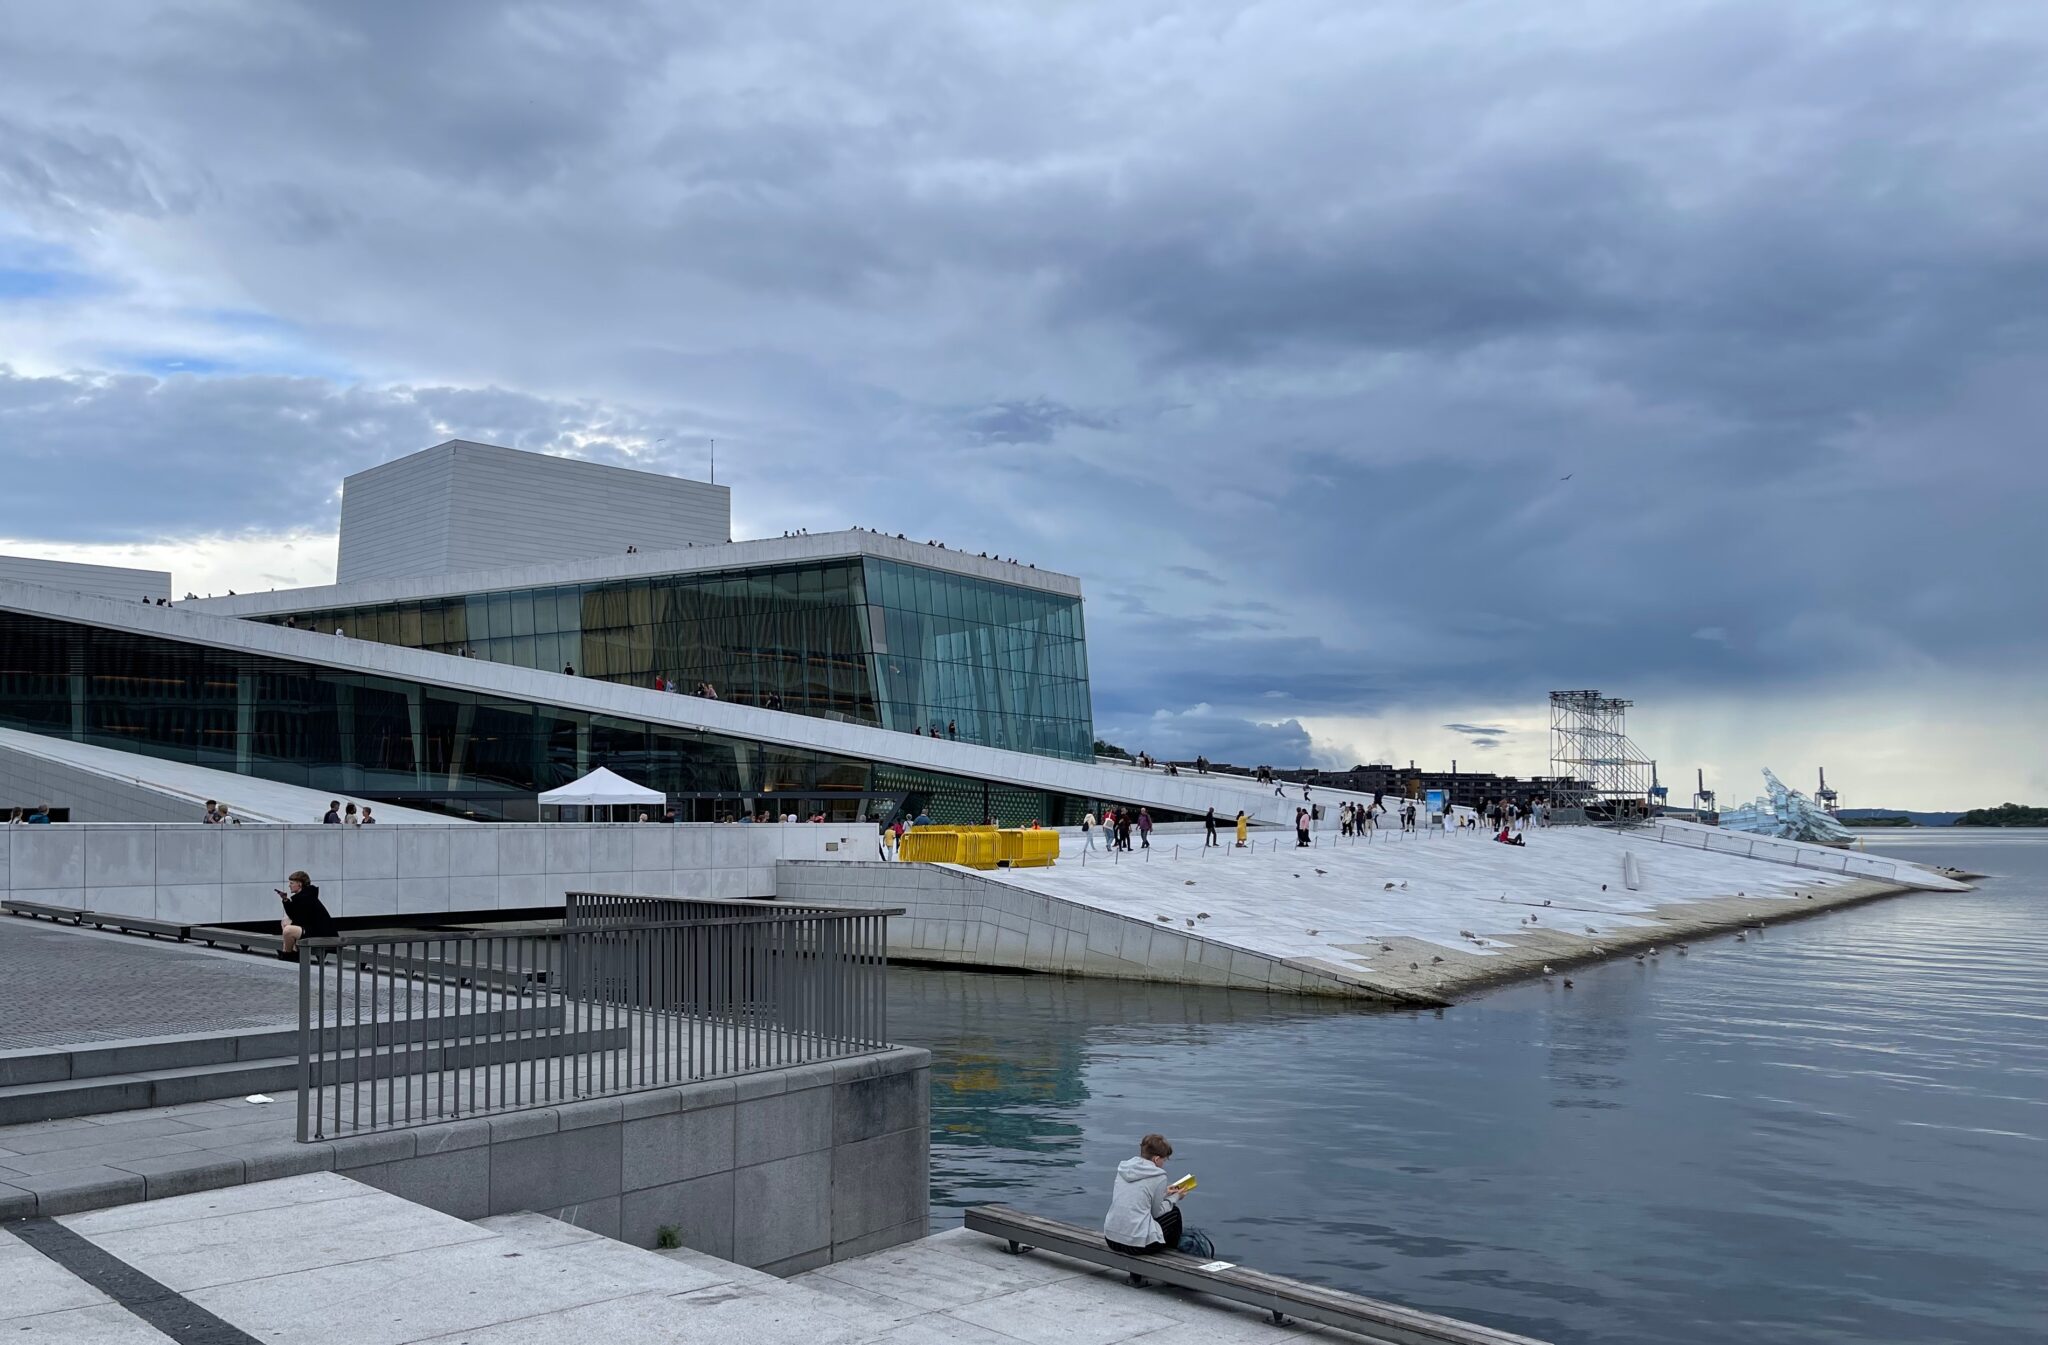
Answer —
783 1172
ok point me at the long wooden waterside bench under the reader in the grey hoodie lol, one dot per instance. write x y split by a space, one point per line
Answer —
1369 1317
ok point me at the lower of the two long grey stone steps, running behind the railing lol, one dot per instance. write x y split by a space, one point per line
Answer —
165 1088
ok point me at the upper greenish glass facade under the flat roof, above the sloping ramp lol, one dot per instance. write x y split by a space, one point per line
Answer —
863 640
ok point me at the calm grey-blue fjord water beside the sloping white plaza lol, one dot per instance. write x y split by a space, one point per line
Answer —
1832 1131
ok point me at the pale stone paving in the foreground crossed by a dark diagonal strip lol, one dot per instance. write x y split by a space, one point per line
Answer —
321 1258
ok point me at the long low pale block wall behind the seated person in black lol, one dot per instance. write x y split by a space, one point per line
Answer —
208 875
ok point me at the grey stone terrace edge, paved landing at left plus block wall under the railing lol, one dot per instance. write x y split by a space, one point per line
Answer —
785 1170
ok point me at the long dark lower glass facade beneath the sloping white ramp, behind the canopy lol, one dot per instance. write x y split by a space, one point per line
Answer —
427 746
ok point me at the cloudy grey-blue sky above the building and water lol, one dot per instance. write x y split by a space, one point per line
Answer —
1377 365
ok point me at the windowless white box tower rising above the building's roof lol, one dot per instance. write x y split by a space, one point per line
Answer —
466 507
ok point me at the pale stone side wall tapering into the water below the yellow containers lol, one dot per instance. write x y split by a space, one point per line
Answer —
966 918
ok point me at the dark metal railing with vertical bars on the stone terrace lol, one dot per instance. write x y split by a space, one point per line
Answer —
413 1029
